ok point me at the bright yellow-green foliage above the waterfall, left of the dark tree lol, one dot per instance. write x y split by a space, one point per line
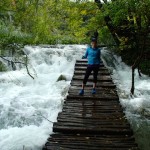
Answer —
48 22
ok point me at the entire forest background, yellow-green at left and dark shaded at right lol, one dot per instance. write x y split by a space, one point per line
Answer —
123 26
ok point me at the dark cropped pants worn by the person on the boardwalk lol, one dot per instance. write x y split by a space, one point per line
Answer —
89 69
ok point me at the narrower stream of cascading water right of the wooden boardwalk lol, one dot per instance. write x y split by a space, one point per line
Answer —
137 107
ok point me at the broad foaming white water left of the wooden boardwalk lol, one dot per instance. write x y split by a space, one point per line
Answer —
25 103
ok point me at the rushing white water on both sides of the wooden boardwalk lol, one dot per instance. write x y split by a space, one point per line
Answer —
26 104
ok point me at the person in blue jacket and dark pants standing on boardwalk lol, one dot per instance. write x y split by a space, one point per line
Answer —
93 54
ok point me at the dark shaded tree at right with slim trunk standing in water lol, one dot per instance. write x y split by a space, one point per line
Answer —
128 21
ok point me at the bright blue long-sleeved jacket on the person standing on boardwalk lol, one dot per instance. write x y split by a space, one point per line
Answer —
93 55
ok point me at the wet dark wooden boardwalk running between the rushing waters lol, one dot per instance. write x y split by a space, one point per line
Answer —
91 122
